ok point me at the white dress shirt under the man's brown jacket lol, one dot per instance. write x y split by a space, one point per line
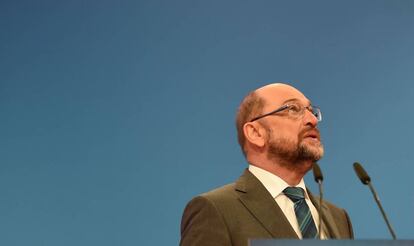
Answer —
275 185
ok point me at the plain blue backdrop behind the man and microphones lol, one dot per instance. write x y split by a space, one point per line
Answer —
115 113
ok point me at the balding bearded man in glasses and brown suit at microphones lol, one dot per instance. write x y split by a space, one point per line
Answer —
278 134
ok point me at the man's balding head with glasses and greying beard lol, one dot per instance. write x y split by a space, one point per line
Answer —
288 137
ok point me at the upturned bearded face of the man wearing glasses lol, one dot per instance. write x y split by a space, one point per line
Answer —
292 140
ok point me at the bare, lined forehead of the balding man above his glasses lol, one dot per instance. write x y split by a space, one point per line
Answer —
276 95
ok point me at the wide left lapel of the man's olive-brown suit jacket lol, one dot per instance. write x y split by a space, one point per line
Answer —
263 207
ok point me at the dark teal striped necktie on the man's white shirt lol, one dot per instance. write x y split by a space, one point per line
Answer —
303 214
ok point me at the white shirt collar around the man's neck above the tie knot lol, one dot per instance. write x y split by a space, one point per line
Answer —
273 183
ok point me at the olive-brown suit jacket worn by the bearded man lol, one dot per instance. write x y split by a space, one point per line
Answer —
232 214
